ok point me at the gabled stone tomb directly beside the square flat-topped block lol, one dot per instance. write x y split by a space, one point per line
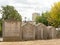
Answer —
28 31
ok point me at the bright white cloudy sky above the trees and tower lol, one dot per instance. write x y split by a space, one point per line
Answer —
27 7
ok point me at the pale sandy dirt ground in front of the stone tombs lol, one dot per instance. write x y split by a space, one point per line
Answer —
35 42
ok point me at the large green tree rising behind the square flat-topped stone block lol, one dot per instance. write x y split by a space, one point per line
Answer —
10 13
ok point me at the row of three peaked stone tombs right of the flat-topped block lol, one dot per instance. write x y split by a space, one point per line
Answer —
40 31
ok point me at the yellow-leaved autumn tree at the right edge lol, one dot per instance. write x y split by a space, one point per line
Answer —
54 17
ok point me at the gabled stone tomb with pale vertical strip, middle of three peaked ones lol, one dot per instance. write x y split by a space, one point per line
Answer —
41 31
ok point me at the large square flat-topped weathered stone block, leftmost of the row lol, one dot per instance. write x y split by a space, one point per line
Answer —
11 29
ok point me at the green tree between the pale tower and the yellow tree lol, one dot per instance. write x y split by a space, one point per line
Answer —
42 18
